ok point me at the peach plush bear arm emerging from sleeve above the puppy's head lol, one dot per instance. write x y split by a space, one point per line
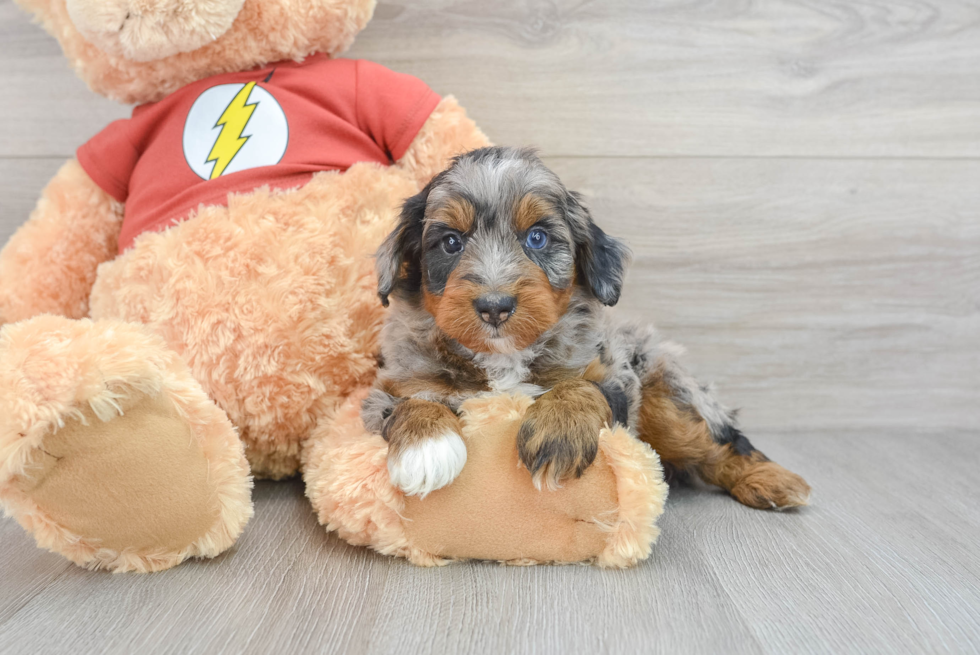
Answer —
446 133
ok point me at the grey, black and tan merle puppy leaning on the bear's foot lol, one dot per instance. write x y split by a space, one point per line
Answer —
497 279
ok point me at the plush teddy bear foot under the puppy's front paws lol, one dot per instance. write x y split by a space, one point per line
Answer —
347 481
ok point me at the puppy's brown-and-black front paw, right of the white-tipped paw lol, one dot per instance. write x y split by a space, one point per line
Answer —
559 437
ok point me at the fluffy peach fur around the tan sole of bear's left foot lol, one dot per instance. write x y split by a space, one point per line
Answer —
50 369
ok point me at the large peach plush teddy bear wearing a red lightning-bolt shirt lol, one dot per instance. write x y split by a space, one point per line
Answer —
193 303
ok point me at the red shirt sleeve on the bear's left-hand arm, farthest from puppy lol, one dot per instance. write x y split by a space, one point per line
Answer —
110 157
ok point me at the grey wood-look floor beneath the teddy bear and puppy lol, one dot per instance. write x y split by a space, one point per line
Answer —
879 563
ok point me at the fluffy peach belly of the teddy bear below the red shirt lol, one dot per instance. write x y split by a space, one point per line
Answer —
244 294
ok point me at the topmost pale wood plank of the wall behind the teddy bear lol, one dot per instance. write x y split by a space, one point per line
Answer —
628 78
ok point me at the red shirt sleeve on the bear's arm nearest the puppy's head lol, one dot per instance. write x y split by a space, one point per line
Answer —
391 107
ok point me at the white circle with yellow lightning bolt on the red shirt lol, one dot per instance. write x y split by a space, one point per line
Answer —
234 127
